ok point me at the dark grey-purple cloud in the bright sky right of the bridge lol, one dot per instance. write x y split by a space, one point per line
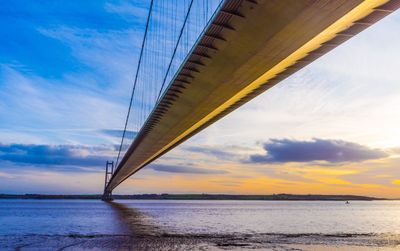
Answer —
333 151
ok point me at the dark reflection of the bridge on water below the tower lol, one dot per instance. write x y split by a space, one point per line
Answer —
133 221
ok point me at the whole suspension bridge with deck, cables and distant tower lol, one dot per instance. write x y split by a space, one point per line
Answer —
201 59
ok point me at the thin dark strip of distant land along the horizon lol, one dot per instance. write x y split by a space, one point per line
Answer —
273 197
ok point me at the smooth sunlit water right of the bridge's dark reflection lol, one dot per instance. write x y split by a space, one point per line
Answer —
270 217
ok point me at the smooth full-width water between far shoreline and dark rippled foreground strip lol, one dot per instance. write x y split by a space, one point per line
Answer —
152 217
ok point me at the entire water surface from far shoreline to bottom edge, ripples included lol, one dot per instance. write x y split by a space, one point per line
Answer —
206 225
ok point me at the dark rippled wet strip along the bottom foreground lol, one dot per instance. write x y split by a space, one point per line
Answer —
181 242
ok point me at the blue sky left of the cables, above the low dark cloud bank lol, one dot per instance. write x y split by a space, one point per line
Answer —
55 55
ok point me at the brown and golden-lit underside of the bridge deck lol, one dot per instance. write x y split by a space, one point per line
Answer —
247 48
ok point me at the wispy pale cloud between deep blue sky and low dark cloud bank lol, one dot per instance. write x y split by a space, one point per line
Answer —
61 114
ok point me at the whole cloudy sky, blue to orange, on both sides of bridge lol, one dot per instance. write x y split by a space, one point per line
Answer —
66 71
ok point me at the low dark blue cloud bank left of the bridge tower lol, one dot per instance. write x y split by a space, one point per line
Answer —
55 155
